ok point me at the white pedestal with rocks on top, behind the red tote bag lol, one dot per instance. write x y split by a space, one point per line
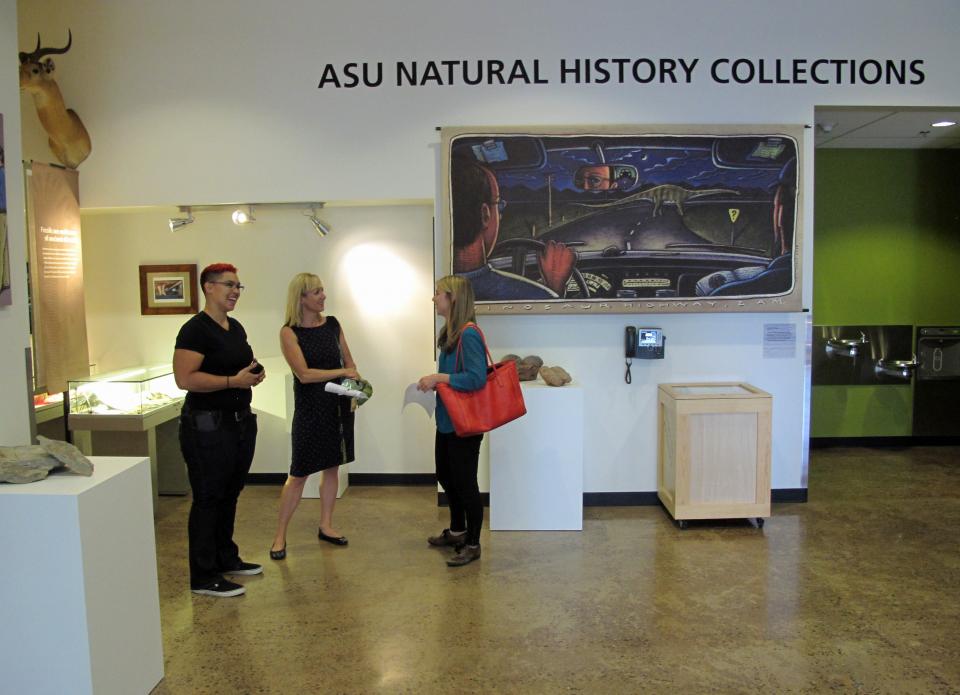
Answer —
536 463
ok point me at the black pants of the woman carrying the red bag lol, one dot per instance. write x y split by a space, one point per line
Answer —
457 459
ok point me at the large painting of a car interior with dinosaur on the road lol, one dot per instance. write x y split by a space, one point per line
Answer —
633 220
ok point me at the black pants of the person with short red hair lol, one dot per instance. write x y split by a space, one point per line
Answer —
218 453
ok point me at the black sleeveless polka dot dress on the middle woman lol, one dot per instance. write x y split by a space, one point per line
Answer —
322 422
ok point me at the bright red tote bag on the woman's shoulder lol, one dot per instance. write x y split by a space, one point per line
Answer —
499 401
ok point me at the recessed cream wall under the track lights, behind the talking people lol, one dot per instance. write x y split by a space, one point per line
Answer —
377 270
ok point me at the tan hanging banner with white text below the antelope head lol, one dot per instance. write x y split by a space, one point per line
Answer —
56 276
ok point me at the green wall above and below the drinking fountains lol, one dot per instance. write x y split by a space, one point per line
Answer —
886 251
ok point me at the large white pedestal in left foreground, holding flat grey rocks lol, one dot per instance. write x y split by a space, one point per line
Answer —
81 608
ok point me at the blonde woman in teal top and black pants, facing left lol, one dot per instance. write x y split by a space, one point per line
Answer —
457 457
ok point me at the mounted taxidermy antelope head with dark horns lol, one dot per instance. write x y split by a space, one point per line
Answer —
69 140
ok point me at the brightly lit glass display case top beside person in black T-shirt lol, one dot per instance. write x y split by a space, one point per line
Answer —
134 391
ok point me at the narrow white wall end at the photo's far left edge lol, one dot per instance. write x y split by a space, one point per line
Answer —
14 331
